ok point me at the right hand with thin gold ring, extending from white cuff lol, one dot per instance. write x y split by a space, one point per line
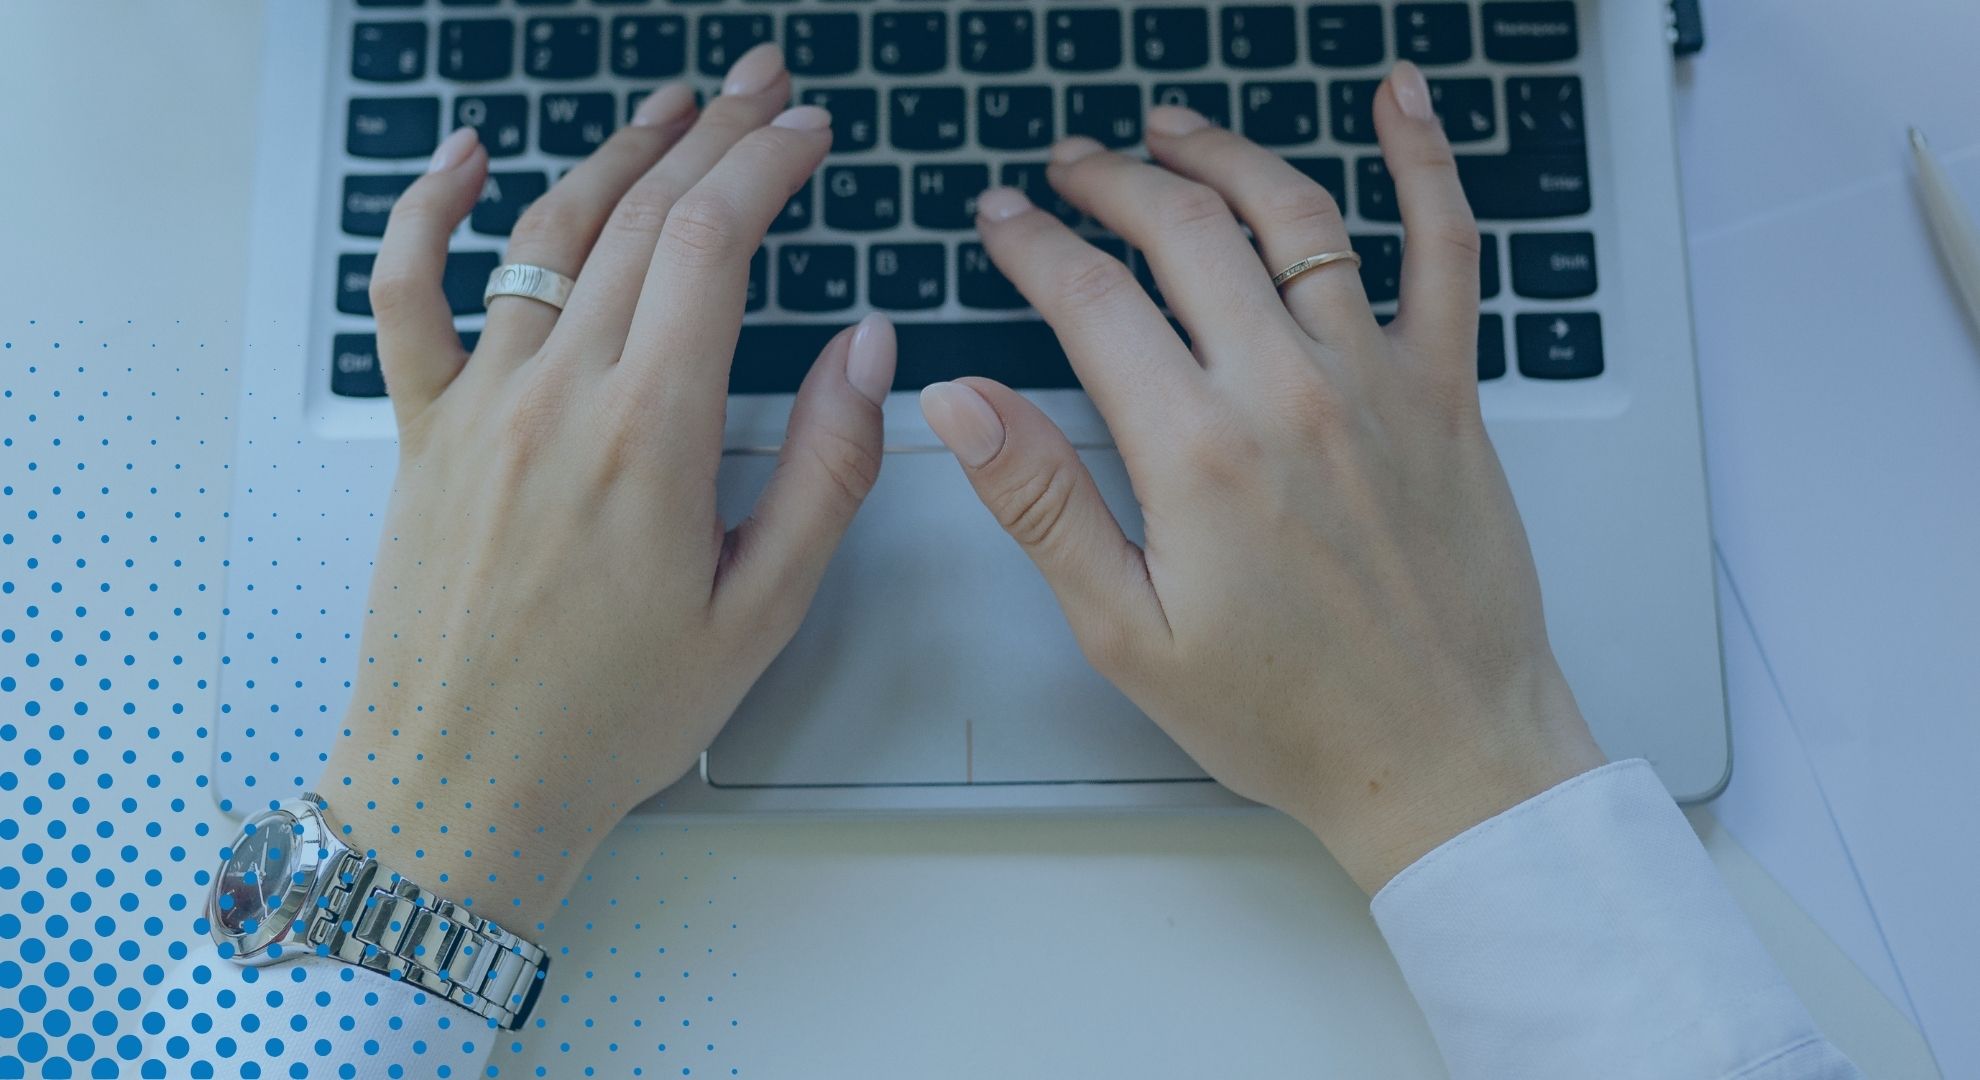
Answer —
1336 611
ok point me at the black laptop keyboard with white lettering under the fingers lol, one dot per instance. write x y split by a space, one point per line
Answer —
932 102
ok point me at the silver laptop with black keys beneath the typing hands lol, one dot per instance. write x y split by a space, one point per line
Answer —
888 701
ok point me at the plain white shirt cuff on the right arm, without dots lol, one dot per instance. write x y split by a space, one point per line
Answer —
1587 934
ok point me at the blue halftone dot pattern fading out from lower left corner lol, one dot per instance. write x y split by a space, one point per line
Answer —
118 496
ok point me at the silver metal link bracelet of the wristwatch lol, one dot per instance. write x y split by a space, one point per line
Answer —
405 932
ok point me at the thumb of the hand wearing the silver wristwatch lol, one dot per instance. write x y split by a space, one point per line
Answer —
831 463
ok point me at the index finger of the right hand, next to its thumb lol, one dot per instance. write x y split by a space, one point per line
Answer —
1128 356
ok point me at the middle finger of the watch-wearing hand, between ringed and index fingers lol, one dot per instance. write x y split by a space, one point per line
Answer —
609 290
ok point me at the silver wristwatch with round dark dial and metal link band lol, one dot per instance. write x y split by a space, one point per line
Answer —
292 889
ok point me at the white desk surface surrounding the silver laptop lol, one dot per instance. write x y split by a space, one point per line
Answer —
1221 944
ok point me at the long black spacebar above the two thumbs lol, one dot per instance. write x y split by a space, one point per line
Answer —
1025 354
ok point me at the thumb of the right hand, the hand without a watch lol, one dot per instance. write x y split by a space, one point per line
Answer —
1037 486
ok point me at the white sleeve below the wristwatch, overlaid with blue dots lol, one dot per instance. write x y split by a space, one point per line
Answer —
312 1012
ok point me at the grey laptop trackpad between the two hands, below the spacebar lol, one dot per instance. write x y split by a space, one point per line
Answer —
936 653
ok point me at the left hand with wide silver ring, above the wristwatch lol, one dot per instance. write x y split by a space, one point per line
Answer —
559 623
